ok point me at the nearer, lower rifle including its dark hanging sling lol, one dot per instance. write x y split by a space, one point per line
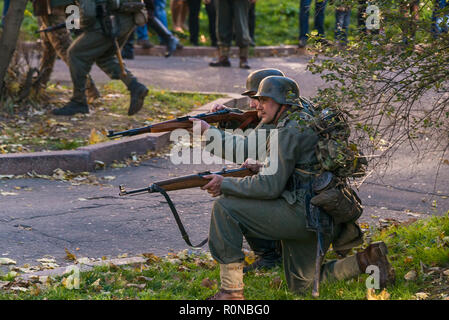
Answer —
185 182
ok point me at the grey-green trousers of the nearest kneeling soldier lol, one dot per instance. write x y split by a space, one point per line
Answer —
232 218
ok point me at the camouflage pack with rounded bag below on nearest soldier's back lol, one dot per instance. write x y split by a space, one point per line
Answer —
338 160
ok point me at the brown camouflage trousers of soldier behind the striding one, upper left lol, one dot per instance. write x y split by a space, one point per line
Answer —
56 43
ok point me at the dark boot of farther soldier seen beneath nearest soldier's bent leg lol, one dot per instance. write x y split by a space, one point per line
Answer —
268 252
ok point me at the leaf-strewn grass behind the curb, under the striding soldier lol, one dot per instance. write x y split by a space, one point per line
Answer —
22 133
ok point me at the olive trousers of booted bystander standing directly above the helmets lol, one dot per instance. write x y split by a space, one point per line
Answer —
232 17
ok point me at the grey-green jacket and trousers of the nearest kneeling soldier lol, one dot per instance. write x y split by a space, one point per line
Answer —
262 206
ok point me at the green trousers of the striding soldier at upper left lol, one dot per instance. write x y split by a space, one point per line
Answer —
92 46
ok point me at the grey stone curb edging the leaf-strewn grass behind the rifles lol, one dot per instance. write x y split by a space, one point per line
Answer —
84 158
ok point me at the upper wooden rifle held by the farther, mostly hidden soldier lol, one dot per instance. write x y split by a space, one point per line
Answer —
244 118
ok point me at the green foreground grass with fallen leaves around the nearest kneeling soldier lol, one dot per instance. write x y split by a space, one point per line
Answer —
419 246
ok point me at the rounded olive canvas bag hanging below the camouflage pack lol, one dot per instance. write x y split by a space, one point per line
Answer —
336 198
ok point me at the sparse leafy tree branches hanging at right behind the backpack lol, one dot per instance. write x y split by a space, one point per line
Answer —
392 83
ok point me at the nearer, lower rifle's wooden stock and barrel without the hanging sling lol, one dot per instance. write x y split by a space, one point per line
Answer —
189 181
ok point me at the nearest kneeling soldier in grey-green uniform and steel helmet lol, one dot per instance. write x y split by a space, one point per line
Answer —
265 206
